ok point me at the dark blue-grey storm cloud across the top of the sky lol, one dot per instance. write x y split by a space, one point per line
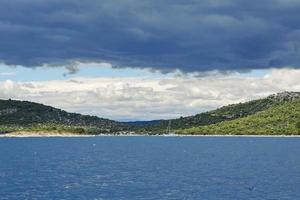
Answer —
191 35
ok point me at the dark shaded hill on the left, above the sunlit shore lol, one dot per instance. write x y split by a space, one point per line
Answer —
24 114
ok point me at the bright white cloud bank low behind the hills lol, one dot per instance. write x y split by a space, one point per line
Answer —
127 98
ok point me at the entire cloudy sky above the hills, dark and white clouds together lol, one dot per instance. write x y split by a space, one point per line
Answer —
140 60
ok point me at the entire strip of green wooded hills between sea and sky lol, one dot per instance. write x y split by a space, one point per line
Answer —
276 114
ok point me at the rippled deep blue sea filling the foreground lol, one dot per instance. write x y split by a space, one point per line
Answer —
157 168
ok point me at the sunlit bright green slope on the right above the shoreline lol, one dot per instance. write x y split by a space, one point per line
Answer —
281 119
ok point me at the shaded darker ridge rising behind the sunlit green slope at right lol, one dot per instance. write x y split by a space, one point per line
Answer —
225 113
